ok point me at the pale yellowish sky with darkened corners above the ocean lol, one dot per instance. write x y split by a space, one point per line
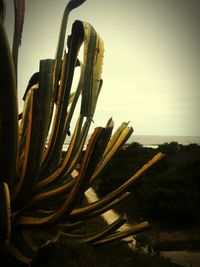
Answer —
151 67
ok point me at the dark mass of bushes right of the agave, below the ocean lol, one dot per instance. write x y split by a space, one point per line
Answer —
169 192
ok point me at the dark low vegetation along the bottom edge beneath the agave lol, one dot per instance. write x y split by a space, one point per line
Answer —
81 255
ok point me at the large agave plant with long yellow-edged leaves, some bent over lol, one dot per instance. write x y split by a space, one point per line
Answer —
41 187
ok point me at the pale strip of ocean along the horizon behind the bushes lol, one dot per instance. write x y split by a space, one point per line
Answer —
155 140
